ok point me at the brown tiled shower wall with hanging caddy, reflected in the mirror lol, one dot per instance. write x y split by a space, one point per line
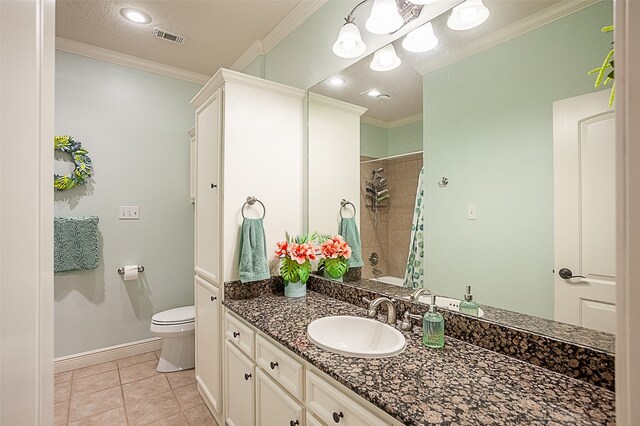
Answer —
385 220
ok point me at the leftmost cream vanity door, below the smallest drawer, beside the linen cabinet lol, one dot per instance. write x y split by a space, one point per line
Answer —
239 386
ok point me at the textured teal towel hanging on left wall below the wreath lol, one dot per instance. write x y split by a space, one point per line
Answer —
75 243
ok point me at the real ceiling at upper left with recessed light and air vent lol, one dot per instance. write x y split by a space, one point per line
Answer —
218 31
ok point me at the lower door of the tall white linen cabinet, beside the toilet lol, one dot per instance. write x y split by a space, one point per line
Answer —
208 350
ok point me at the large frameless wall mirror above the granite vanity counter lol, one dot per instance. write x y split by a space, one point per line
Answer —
498 138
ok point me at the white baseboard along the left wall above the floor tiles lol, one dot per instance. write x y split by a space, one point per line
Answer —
112 353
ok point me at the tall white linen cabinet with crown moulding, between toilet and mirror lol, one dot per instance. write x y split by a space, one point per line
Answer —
249 142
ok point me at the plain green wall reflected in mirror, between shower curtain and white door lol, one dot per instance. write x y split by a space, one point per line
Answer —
488 128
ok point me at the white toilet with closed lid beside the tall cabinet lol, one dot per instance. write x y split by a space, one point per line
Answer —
177 328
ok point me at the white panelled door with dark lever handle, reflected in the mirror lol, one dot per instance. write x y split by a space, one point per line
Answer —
584 211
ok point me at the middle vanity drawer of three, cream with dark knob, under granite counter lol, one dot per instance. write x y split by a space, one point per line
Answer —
280 366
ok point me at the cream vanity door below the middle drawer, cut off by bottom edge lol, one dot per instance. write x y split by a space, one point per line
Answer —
274 406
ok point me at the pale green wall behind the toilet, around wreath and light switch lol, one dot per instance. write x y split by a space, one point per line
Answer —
134 125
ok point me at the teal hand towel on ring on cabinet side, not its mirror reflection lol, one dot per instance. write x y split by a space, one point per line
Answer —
253 252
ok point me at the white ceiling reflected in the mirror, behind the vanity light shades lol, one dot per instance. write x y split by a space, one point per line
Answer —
404 84
